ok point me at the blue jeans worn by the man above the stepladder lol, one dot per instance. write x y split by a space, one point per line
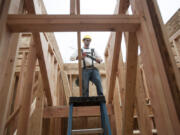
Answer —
93 76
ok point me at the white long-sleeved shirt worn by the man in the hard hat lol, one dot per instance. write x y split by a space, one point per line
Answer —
88 61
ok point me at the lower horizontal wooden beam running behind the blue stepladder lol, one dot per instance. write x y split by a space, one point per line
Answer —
62 111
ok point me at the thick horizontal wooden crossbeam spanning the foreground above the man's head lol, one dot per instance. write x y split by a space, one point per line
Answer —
62 23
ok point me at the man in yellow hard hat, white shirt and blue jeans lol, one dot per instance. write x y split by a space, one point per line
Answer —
89 71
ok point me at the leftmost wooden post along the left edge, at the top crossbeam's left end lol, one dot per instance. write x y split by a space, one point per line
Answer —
8 47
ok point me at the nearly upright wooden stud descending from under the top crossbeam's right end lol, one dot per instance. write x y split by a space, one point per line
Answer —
130 86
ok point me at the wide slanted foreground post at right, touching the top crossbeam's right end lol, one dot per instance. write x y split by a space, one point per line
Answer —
166 118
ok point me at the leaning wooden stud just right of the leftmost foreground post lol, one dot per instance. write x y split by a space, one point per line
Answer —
23 120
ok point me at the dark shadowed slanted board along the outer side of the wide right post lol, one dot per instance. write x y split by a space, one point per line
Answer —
166 54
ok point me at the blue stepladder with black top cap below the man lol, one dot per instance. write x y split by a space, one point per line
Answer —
89 101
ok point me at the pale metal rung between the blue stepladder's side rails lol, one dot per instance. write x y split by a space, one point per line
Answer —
87 131
